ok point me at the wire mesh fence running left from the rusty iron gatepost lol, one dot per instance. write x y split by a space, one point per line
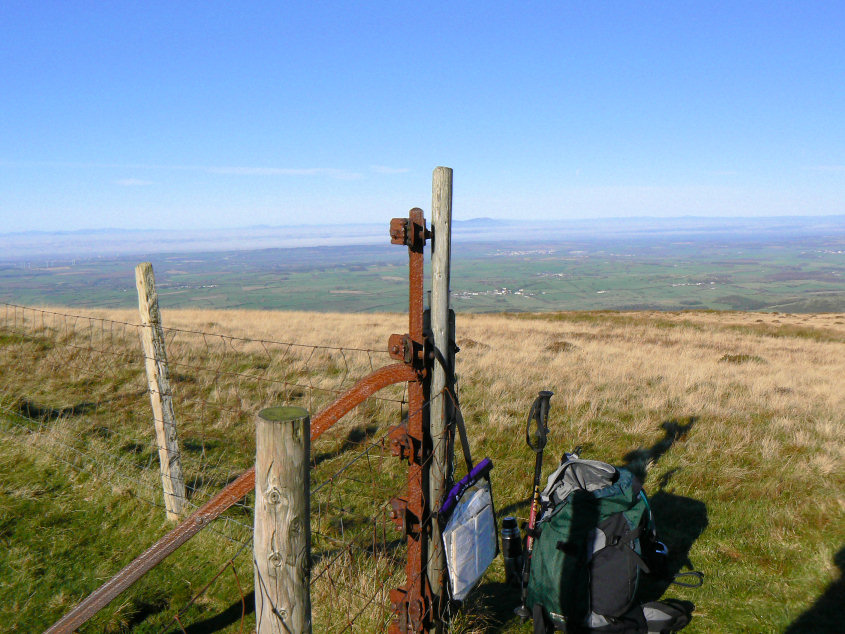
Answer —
75 386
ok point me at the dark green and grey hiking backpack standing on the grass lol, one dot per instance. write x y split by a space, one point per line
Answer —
594 525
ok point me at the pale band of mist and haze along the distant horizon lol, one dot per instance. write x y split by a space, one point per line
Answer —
111 242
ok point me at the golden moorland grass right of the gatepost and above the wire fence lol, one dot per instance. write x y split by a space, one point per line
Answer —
759 399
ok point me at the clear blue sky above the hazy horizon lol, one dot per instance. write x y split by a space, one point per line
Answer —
216 114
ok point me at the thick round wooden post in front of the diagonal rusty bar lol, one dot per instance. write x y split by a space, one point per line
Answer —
282 537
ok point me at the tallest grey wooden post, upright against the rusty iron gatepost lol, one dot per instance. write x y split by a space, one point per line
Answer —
441 224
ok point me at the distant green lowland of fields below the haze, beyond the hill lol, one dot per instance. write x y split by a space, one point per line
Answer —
768 274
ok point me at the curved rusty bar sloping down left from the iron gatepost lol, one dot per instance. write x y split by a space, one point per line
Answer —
203 516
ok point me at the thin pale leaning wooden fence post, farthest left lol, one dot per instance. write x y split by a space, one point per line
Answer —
161 398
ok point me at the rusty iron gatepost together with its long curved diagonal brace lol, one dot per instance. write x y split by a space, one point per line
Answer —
413 605
